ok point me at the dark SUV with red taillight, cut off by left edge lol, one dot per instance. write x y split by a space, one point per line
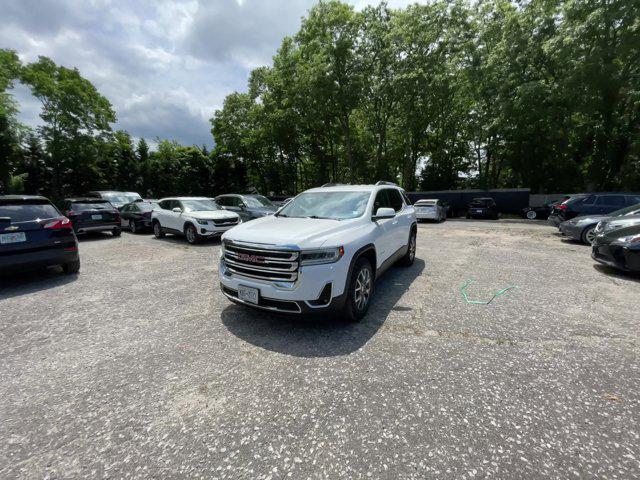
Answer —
34 234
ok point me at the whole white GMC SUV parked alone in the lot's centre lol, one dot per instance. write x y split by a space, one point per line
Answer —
321 252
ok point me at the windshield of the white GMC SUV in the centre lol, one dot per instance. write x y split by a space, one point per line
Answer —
334 205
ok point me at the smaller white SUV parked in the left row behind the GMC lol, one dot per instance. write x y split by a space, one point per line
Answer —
196 218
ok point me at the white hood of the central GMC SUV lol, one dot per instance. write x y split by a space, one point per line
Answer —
295 232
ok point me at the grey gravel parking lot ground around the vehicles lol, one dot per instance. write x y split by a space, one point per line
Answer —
140 368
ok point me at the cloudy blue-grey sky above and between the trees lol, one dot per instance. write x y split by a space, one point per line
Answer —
166 66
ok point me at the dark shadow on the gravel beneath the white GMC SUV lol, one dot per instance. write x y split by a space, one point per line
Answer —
321 336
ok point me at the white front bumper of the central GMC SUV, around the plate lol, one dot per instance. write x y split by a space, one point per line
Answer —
297 297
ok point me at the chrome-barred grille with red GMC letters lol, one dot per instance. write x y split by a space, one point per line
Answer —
262 263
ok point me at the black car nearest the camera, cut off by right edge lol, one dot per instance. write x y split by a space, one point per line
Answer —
619 248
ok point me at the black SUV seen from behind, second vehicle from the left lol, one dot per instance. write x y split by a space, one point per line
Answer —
92 215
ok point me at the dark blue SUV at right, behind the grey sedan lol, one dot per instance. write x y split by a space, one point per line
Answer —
591 204
